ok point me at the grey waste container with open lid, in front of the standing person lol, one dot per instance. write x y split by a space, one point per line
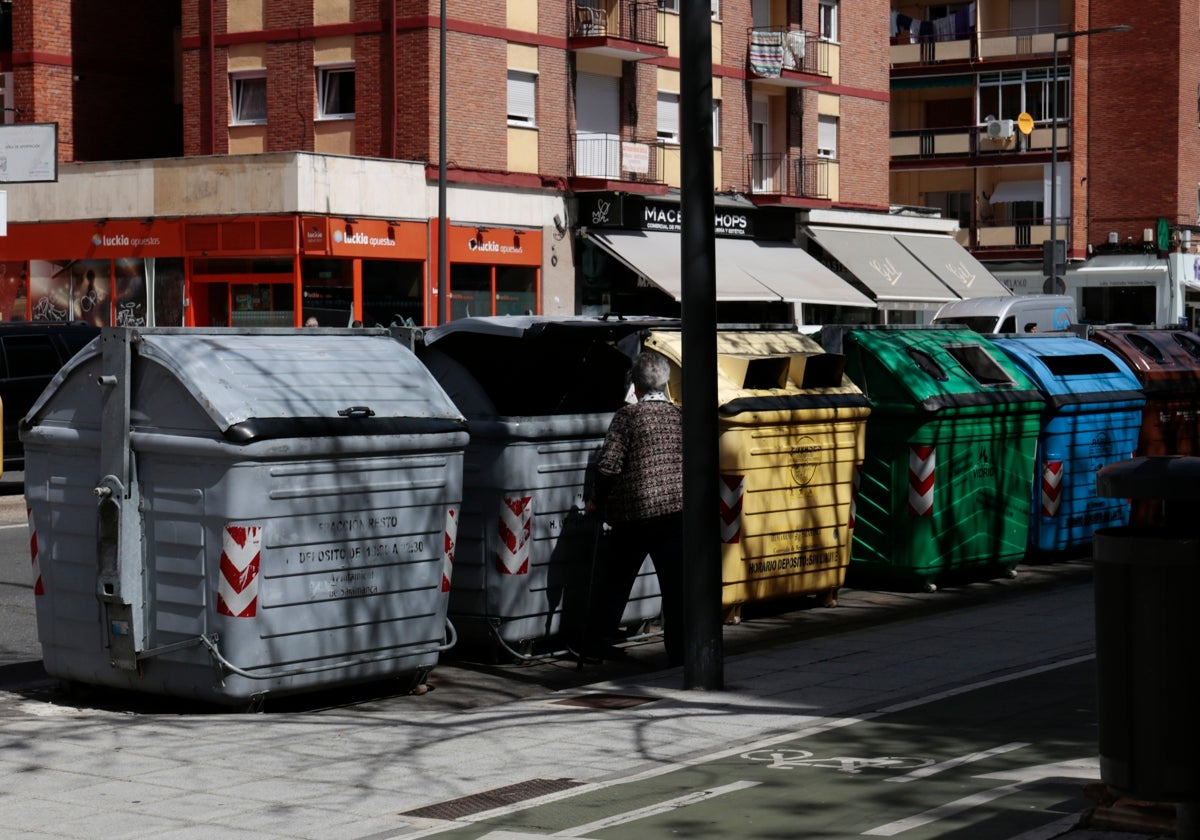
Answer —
539 393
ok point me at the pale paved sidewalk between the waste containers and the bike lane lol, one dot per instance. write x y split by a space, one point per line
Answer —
85 773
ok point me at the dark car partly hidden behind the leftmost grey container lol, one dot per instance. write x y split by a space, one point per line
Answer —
31 355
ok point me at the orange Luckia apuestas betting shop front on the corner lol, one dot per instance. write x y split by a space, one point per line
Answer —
231 272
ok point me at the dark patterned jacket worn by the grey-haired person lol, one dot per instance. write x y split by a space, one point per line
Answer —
641 463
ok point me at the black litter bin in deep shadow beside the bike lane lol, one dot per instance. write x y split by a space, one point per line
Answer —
1148 635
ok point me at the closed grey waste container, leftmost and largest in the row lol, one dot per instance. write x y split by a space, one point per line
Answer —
225 514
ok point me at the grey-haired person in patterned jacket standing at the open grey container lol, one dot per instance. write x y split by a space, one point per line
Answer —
640 490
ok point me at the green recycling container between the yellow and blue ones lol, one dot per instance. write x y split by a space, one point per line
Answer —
947 477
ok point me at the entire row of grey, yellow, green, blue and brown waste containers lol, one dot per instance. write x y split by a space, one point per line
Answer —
221 515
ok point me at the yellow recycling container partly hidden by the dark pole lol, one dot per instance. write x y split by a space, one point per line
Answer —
791 442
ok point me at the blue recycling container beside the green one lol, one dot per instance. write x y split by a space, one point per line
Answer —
1093 416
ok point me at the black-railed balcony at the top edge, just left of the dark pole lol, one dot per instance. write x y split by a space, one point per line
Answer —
622 29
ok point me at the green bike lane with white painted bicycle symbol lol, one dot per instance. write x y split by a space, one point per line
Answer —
988 764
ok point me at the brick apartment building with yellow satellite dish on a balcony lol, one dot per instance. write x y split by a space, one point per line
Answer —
974 116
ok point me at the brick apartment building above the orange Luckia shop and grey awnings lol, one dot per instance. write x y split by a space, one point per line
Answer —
254 163
